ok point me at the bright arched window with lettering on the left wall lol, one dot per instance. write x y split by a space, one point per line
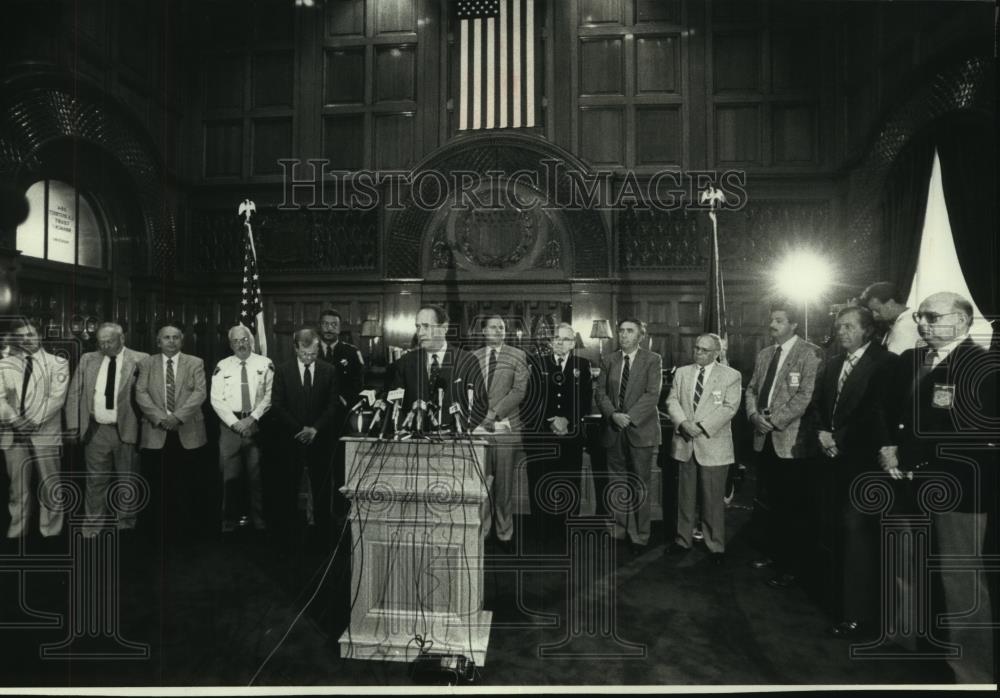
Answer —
63 225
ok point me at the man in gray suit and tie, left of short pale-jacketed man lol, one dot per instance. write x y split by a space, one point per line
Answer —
627 395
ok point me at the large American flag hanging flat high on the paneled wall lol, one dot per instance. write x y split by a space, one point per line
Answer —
498 85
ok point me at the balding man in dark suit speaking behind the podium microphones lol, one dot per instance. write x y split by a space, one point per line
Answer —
435 366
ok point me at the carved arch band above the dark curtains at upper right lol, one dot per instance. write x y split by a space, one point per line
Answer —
954 85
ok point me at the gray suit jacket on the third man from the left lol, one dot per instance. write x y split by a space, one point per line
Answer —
189 394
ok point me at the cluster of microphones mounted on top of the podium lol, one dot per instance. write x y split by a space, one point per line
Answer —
392 420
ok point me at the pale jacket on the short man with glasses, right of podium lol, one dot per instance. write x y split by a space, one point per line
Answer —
720 399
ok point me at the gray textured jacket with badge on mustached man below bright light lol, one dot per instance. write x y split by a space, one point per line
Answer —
793 389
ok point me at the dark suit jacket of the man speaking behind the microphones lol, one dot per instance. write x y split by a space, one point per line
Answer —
459 369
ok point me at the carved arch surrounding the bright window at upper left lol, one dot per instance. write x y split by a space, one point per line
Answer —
48 112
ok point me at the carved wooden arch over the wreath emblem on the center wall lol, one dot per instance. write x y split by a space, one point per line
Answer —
585 229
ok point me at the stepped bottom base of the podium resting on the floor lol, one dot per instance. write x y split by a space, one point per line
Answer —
372 639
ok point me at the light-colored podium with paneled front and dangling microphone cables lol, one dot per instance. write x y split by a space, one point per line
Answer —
419 519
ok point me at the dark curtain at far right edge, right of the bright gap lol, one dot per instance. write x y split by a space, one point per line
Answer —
967 149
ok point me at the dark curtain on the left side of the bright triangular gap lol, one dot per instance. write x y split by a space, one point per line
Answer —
902 207
